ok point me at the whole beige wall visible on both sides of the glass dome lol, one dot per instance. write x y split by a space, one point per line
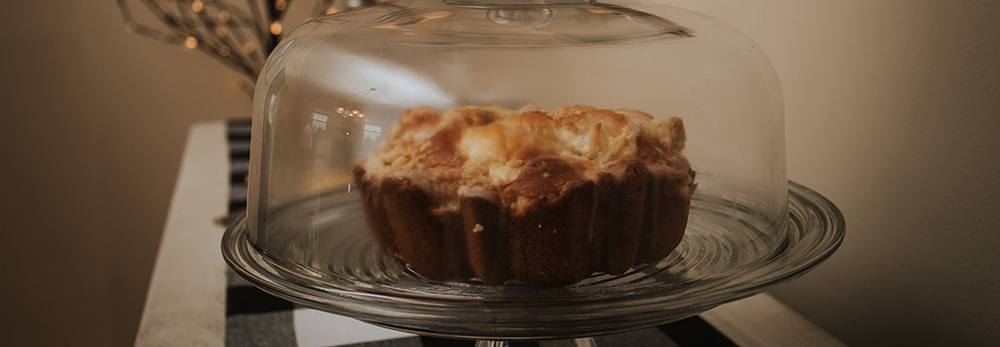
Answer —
891 112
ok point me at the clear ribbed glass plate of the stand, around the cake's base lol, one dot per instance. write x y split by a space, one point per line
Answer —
724 257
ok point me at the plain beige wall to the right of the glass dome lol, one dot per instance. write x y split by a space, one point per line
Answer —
893 112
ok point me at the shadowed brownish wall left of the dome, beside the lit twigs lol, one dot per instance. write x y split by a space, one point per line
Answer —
92 126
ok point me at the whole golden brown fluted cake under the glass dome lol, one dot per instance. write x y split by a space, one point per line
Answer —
547 196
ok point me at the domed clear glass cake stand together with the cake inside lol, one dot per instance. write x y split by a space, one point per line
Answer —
559 167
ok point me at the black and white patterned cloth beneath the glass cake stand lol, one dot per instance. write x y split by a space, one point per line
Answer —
255 318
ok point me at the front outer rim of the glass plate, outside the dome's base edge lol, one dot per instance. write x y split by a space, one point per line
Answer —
816 229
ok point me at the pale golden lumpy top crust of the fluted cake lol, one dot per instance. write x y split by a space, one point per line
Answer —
476 151
